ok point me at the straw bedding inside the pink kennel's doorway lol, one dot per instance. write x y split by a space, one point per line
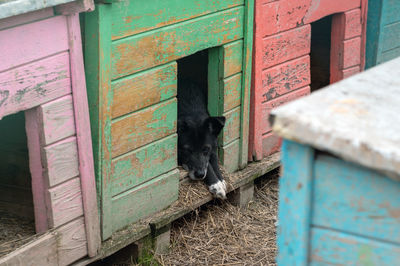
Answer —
14 232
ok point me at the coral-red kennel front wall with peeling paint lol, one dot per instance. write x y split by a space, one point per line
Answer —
281 64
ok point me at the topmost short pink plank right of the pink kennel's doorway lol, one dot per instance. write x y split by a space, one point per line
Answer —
58 120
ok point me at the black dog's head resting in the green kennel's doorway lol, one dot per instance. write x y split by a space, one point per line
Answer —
196 142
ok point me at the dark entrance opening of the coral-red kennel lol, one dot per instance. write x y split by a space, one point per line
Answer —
320 52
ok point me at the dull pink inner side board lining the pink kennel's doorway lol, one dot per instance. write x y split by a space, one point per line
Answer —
32 125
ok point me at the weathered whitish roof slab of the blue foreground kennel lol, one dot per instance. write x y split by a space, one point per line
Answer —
354 126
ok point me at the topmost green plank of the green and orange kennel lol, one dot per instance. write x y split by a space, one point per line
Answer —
130 18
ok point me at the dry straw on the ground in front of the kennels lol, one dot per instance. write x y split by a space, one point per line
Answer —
222 234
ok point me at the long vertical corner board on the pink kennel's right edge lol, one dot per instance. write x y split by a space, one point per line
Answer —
83 135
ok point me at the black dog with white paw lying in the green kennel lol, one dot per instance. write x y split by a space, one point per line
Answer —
197 137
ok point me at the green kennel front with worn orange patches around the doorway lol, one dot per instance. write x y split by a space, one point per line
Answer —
131 48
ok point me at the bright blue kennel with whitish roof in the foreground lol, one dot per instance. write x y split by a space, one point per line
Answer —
341 179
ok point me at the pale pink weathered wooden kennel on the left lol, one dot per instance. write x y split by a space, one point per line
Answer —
42 86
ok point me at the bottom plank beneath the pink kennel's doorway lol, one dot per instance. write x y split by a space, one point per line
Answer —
45 245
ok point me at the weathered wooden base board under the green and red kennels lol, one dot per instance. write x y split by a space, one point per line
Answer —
139 230
